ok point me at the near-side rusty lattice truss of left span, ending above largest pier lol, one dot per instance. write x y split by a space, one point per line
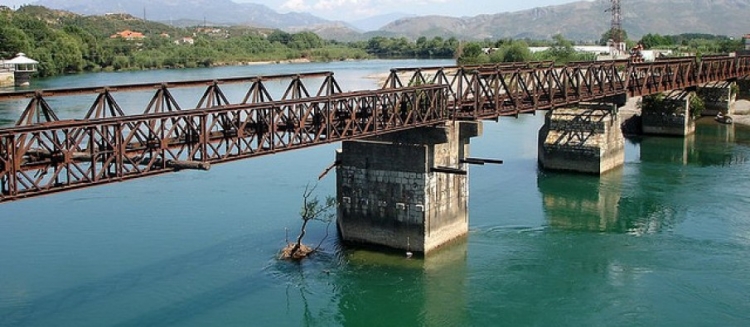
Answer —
55 156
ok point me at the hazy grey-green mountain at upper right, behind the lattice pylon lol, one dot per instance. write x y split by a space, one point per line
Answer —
587 20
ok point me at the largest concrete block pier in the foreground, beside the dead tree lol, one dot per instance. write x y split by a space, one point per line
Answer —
406 190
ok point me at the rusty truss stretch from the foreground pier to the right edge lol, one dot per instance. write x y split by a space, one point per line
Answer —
509 89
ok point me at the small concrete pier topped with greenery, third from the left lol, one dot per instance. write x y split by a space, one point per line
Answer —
668 114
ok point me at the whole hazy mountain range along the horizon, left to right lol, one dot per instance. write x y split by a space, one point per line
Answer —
582 20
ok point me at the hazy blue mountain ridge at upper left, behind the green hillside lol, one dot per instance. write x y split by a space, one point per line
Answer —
214 11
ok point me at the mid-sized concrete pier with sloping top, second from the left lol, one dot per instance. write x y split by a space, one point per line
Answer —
587 139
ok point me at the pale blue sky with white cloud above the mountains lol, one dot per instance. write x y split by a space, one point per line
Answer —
348 10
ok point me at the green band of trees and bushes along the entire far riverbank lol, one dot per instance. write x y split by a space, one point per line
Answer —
64 42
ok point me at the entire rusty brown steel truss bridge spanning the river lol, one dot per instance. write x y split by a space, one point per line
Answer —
43 154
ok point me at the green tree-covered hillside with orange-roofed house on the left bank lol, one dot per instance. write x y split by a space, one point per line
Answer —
68 43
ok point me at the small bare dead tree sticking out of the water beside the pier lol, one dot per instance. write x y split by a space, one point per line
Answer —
312 209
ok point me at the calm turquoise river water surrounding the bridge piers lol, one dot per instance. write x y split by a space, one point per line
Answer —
663 241
